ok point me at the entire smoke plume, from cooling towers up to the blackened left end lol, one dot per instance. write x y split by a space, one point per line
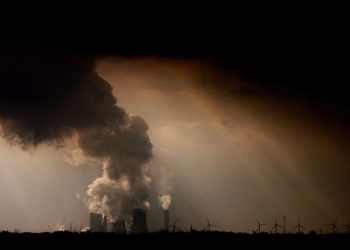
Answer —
48 95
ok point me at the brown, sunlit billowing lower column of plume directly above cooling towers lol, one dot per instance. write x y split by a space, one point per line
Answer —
124 184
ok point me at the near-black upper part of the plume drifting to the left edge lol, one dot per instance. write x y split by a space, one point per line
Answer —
45 96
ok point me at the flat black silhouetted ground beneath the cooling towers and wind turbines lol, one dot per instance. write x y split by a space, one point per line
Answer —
179 240
